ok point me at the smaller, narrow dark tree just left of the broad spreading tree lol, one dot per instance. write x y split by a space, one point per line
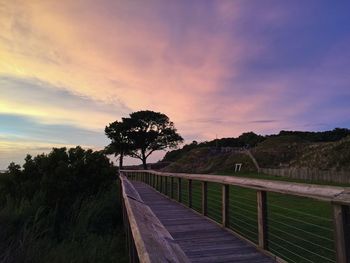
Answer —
120 145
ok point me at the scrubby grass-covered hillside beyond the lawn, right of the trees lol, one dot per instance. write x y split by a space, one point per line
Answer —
329 150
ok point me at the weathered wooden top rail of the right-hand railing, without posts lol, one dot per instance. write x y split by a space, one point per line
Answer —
334 194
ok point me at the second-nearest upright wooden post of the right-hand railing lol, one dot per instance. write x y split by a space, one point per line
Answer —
262 219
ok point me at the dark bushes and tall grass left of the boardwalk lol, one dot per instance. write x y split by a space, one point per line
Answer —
59 203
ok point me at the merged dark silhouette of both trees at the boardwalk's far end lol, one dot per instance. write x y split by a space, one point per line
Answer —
142 133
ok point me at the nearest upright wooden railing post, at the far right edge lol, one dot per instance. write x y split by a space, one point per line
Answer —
341 217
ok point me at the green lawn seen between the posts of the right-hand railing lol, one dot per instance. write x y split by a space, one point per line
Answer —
299 229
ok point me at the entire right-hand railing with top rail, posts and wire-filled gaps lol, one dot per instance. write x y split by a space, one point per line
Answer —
315 229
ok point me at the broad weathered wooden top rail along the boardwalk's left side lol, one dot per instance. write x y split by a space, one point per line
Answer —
152 241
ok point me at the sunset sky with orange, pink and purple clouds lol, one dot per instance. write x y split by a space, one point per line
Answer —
216 68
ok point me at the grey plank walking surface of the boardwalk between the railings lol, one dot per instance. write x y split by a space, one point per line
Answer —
201 239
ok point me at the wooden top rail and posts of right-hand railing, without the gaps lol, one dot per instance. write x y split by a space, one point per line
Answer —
338 197
